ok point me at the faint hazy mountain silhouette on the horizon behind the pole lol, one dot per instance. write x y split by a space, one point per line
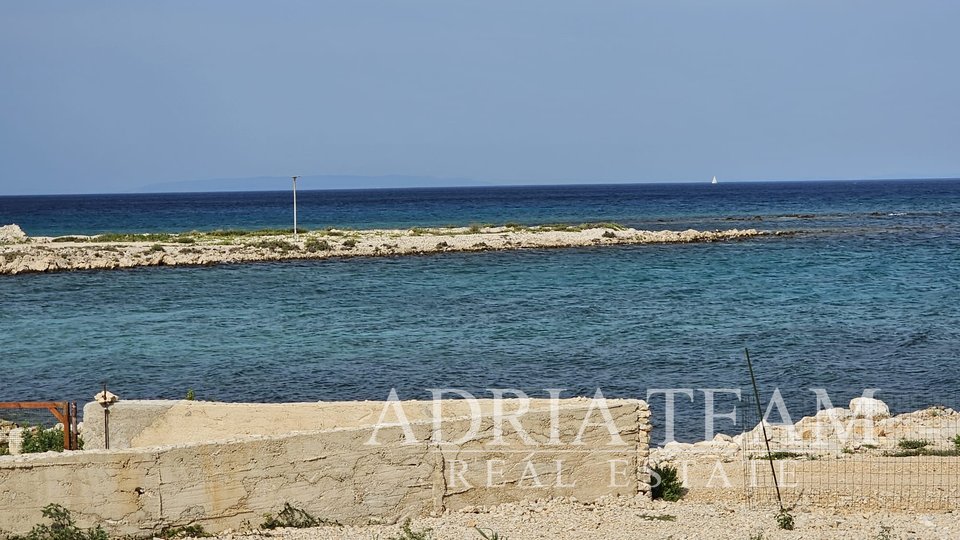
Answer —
278 183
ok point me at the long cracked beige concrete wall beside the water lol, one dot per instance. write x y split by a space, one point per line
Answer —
356 472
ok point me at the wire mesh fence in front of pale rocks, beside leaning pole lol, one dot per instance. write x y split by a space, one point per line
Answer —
860 456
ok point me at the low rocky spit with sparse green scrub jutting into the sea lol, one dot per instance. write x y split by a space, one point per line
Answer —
21 254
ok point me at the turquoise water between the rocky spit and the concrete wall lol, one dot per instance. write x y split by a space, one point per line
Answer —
872 303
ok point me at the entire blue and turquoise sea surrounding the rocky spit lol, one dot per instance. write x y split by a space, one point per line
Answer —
863 293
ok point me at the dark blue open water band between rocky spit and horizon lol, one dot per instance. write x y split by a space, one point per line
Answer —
770 205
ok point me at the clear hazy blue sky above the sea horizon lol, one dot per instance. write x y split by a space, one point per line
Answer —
100 97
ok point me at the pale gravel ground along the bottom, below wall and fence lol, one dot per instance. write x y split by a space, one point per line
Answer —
638 518
